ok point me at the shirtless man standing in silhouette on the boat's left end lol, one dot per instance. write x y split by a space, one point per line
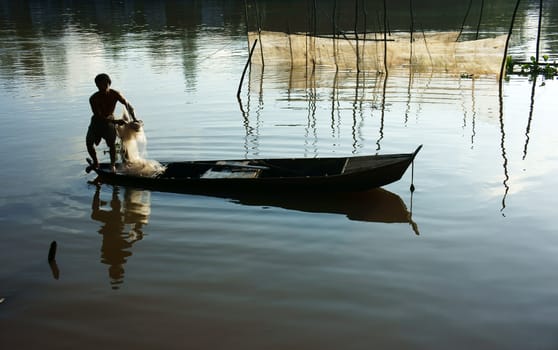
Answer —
102 126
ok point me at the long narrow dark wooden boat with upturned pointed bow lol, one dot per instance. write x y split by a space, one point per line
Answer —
331 174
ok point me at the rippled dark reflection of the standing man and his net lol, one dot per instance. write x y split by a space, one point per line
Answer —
117 242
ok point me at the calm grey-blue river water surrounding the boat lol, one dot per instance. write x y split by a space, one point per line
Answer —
468 261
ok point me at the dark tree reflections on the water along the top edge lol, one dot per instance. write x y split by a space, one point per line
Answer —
33 32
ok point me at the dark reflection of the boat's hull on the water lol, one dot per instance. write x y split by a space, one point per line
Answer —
376 205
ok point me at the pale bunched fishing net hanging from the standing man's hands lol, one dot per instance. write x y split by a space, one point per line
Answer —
134 151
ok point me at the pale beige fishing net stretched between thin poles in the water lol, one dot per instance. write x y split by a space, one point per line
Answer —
436 51
